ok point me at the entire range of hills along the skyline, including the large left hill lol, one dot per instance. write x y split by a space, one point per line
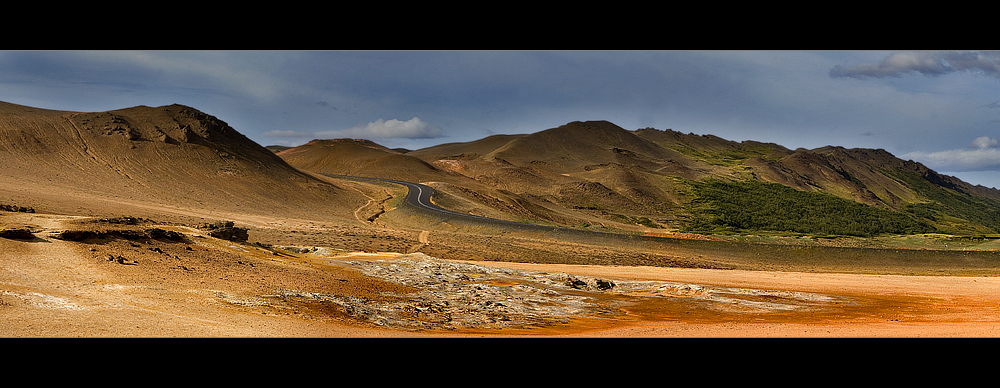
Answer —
593 175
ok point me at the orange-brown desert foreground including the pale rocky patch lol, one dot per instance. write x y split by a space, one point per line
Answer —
130 278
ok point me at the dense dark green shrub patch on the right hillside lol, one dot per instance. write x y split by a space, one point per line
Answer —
755 207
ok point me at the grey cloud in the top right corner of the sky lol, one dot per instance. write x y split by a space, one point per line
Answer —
931 63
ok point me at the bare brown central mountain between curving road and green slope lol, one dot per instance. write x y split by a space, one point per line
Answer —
595 169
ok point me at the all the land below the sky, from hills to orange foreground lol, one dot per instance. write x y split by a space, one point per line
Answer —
604 232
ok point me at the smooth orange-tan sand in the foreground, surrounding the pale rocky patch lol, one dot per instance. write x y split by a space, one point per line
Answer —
207 287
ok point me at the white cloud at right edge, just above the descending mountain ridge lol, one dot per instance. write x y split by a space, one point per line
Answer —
982 155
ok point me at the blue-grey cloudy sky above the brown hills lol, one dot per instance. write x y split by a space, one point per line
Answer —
939 108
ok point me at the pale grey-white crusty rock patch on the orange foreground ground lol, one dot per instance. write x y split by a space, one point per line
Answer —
457 295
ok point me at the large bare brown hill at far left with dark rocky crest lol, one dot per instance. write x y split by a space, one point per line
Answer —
173 158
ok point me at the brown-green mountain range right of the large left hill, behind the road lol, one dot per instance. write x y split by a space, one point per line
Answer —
594 174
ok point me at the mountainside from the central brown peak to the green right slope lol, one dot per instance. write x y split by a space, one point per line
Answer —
655 178
